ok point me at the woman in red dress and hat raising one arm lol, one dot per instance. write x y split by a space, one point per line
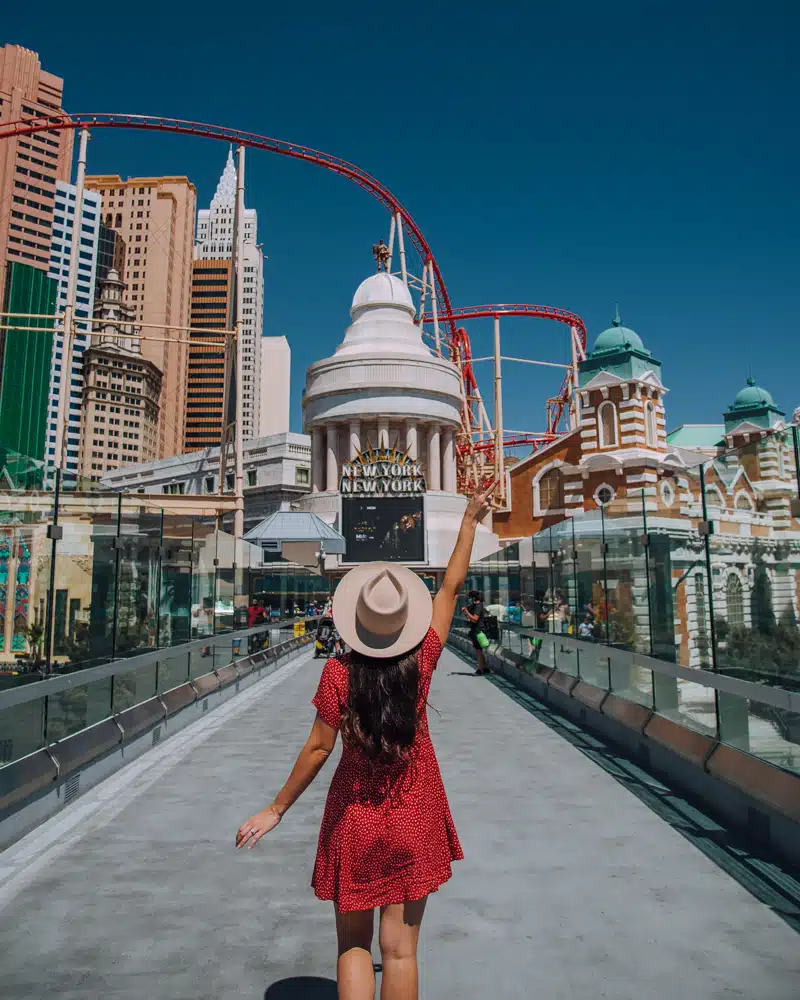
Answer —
387 838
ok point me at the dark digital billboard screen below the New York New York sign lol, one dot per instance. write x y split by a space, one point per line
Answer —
391 529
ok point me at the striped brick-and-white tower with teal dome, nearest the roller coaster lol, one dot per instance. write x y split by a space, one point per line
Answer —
622 395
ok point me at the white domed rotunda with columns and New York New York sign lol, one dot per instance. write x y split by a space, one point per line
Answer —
384 413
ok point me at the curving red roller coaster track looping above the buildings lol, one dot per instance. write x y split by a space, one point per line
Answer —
459 340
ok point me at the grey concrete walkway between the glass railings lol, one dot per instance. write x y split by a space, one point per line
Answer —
571 887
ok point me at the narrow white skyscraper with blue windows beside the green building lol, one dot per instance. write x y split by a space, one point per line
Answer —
60 257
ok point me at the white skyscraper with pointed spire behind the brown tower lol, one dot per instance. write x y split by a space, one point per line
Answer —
214 242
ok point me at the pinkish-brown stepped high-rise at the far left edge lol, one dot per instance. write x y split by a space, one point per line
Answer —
29 165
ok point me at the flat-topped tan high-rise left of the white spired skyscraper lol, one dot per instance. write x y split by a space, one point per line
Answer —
155 216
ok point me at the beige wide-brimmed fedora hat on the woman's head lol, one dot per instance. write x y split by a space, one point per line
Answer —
382 609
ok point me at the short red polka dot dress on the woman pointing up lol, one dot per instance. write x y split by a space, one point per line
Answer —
387 835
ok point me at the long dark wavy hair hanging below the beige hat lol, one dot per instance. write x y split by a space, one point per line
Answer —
382 710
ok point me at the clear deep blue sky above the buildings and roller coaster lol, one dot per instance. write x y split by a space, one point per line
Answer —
568 154
